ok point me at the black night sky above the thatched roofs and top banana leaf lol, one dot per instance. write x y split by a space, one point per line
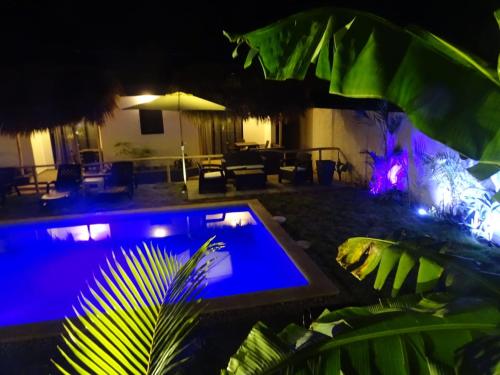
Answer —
146 39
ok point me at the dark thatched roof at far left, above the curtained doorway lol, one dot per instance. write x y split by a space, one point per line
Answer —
46 96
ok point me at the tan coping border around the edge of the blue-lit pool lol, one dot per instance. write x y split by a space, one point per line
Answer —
319 285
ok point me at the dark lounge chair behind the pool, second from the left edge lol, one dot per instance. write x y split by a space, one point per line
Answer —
66 185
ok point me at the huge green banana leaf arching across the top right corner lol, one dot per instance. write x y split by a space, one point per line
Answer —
448 94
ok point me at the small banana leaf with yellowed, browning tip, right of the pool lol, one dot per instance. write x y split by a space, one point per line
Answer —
363 256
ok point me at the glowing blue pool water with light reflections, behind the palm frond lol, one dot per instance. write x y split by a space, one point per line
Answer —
44 265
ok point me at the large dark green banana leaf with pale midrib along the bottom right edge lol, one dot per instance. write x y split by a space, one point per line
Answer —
409 336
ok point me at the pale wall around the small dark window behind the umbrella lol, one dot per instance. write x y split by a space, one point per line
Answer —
125 127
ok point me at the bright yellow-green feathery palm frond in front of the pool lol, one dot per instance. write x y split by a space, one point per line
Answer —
139 316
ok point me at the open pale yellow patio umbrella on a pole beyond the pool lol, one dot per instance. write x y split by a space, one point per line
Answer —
180 101
